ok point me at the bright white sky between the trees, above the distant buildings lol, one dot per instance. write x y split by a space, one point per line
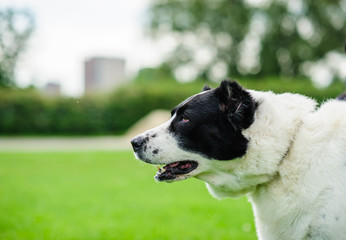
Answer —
70 31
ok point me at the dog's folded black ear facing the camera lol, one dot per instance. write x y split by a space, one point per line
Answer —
237 104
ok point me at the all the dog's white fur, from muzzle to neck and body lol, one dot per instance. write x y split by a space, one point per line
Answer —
294 170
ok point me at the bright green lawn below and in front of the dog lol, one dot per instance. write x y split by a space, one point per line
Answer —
109 195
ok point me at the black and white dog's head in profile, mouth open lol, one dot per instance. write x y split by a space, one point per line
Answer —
205 128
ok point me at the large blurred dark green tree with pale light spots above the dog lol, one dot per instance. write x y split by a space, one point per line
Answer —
218 38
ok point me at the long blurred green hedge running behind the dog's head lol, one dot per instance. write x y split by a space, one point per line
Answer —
28 112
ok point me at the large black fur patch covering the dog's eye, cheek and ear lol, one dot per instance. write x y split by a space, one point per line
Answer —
210 123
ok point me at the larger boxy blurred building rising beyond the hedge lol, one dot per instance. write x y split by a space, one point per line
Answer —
103 74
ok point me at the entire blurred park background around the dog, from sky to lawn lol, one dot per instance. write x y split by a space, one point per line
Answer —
78 79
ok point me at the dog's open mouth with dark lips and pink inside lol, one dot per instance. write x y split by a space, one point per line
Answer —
174 170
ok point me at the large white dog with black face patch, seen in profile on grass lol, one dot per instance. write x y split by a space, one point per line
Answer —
281 150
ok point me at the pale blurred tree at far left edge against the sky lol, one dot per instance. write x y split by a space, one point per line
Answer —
16 27
